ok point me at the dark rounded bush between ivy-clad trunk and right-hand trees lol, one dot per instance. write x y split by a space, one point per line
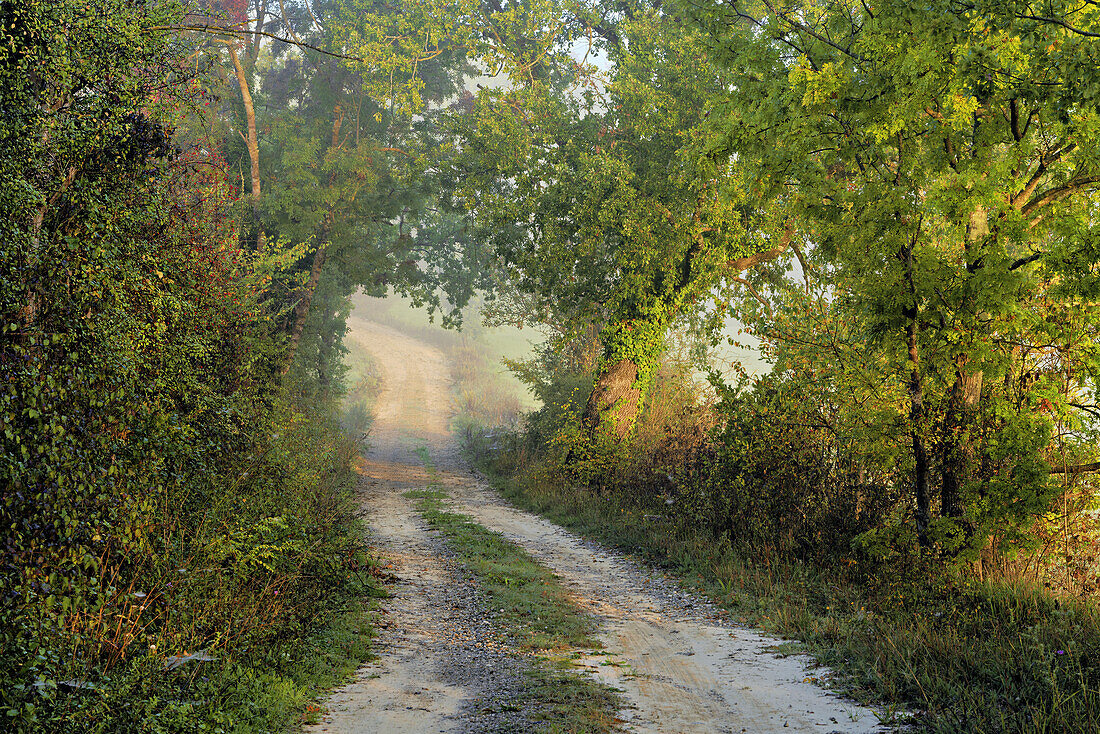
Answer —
779 476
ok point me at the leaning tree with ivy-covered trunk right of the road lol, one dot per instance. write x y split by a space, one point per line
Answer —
593 201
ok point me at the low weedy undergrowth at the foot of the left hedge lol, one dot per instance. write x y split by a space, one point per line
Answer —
230 619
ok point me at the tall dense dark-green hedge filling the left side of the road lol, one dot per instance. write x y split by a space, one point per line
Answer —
171 519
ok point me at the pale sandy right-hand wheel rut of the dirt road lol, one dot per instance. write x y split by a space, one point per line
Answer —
688 669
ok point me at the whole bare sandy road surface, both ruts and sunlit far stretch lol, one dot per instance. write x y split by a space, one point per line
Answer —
680 666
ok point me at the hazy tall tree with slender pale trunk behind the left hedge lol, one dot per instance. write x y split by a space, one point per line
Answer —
335 122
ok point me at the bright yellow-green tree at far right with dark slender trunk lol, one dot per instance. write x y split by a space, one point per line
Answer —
943 162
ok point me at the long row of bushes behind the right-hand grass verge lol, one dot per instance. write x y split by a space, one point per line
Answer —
811 464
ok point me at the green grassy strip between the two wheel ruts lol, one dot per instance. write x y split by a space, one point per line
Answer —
536 615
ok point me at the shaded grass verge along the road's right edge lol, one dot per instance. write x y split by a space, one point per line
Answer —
962 656
